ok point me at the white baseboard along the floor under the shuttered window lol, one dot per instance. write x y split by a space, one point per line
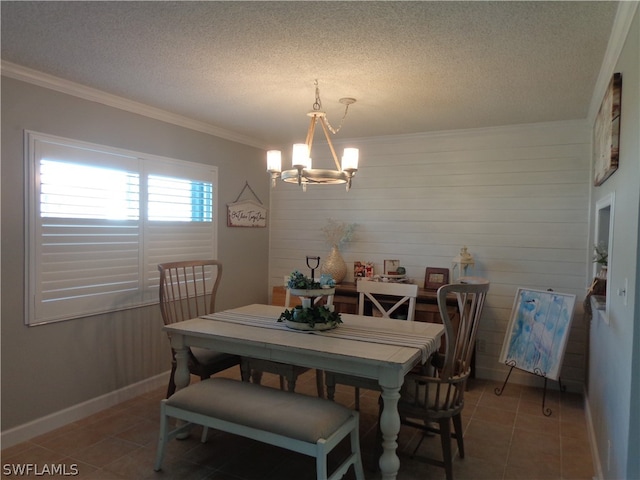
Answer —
43 425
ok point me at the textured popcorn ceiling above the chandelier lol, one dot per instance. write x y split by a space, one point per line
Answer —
249 67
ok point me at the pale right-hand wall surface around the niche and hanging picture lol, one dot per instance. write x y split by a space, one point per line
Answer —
614 356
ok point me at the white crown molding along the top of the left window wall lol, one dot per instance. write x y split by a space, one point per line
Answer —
51 82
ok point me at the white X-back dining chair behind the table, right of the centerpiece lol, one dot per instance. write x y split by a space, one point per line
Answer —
386 299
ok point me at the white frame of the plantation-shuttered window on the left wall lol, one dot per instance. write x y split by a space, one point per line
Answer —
203 234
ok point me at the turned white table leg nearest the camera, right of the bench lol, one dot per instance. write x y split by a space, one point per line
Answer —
390 427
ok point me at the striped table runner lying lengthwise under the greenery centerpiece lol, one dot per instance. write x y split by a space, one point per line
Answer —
348 332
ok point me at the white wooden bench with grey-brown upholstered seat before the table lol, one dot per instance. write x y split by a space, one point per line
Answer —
304 424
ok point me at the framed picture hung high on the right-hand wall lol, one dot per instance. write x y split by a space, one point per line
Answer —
606 132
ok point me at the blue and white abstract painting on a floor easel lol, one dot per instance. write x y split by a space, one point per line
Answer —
538 330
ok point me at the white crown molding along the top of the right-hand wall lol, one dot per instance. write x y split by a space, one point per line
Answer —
619 32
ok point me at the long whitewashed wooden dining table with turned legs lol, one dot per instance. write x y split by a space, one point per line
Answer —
369 347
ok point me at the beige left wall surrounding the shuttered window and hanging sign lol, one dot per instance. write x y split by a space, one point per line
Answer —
49 368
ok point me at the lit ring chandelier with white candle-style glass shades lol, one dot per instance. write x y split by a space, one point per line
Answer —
302 173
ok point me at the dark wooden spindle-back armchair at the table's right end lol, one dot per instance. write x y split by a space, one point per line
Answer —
438 398
